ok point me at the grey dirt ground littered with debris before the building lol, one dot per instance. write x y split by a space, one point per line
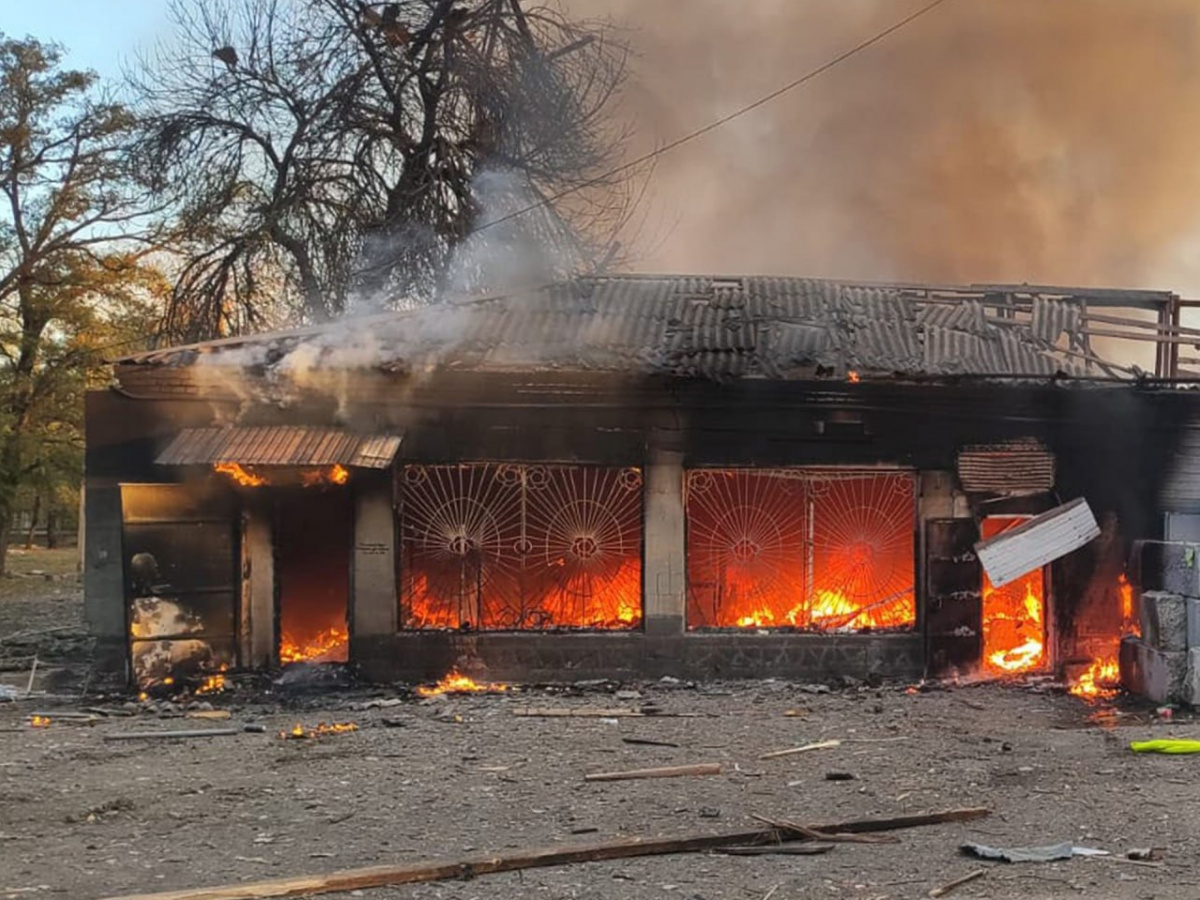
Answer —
422 779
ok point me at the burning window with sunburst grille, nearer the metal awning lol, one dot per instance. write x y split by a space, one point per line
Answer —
521 548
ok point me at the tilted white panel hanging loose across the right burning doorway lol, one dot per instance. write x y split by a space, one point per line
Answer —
1037 543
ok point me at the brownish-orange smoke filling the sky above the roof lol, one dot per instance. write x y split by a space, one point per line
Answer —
1000 141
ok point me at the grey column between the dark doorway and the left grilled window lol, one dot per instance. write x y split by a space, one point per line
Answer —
374 599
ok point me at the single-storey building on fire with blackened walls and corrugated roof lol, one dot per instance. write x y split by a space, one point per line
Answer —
638 476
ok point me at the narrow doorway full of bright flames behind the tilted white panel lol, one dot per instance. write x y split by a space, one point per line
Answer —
1015 632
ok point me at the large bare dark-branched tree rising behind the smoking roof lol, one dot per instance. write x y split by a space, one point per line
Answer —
326 148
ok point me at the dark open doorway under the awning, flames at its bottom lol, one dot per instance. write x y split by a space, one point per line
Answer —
314 533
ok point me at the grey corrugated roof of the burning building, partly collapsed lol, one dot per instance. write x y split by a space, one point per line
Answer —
686 326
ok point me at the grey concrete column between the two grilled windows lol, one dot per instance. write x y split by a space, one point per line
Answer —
664 569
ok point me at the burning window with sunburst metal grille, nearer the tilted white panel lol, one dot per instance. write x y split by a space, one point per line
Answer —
805 549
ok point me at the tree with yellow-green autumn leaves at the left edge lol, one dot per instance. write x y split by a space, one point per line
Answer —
65 275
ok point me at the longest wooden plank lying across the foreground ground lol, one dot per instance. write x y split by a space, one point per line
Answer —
623 849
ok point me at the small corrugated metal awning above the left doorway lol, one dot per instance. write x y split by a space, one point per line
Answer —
280 446
